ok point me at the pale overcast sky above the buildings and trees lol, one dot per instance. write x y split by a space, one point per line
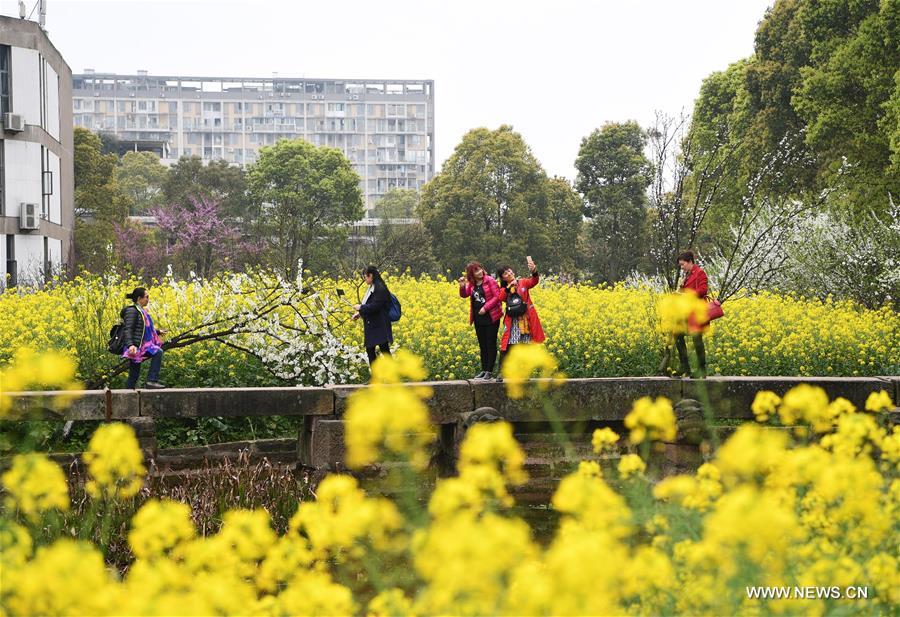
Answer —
554 70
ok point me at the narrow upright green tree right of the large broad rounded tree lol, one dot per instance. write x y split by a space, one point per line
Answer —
613 176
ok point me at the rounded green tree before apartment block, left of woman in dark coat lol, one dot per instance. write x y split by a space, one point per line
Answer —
307 196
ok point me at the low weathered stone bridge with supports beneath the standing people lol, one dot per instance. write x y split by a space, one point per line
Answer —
581 405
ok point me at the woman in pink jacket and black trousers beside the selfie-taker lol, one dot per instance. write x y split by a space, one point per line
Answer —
484 311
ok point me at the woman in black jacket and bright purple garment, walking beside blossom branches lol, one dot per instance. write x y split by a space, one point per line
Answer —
142 340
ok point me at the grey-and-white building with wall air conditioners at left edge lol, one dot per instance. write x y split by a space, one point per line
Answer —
36 155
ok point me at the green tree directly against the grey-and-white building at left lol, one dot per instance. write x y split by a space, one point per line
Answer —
98 204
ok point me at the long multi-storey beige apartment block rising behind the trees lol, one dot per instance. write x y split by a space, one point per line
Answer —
384 127
